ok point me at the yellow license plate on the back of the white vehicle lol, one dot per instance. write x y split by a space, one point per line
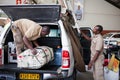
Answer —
29 76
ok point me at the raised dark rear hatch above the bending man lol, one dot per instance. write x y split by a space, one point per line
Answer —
37 13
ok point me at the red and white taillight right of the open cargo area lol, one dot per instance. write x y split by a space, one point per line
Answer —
65 59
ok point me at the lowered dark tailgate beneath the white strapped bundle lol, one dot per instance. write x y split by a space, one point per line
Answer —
44 69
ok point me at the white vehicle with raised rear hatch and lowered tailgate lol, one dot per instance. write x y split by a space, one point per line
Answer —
61 68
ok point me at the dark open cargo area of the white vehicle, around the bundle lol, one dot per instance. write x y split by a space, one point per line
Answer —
53 40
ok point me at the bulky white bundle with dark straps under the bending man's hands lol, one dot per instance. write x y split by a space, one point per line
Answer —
27 60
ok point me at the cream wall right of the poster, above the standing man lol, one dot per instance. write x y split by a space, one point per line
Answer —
100 12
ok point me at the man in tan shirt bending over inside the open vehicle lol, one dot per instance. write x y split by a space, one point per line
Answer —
26 31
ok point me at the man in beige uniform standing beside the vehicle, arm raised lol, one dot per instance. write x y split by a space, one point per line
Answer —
97 57
